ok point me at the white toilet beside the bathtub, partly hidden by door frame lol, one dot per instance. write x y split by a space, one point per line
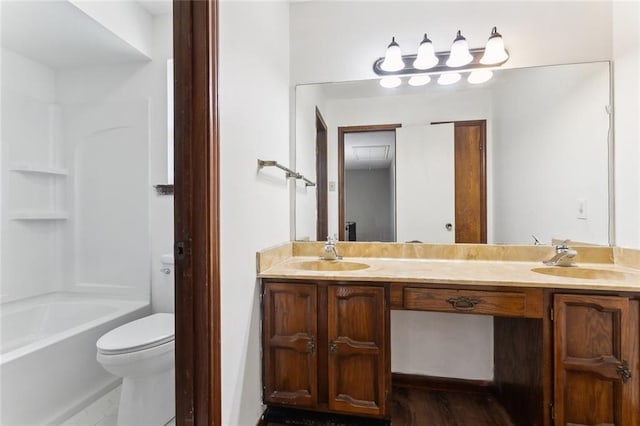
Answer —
142 353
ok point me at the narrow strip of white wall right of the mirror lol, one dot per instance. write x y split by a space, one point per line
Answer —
626 57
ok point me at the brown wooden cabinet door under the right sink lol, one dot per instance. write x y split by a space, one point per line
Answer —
595 344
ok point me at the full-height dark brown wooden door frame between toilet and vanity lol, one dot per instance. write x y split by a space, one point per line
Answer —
197 207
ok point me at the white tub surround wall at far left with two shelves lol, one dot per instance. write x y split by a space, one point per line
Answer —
30 123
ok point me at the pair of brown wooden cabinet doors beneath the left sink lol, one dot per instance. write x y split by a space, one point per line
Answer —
325 347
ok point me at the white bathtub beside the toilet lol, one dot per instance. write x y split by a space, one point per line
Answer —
48 367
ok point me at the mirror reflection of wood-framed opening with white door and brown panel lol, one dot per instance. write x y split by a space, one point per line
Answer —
438 196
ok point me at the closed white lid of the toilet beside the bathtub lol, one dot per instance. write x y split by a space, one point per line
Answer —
140 334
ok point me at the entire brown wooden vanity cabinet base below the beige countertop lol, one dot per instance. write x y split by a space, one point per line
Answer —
561 357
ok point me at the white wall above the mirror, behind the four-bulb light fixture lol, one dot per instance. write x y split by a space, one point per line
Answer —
339 41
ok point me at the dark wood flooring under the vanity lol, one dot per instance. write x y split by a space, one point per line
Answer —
411 406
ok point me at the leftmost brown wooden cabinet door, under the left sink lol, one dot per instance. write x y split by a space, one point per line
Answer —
289 344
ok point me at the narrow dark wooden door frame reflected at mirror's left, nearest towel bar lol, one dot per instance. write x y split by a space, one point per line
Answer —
322 218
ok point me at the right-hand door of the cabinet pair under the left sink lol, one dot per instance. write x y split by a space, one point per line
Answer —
358 368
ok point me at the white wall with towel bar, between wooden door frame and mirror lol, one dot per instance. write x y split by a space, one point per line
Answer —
254 123
